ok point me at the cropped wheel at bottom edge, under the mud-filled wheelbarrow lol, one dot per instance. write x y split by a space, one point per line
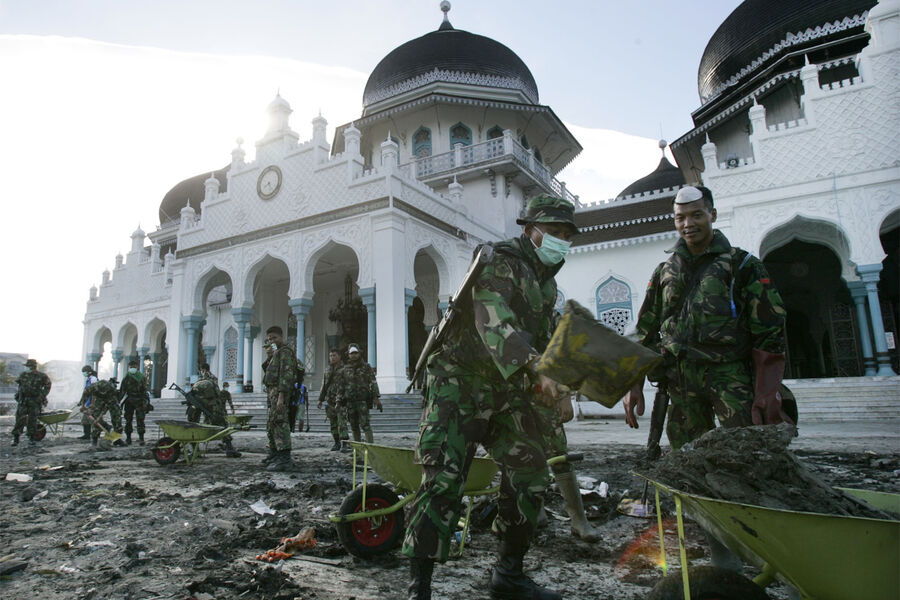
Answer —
708 583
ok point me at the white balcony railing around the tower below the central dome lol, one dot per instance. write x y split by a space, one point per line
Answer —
476 155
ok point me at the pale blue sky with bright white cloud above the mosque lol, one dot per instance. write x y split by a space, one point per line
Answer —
107 104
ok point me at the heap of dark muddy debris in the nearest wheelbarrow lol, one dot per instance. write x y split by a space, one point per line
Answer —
752 465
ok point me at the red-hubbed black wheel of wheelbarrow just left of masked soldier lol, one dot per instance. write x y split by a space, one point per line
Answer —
370 537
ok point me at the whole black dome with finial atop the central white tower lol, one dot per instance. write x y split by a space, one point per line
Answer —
449 55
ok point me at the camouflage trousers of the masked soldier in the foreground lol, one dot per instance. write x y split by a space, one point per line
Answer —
460 413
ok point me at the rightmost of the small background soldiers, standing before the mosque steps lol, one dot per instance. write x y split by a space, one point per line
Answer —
357 392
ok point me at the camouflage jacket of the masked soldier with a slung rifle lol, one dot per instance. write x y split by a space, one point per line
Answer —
507 321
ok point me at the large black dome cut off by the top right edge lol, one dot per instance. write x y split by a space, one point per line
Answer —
759 31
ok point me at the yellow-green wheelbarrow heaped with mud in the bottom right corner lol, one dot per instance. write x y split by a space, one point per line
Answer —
825 557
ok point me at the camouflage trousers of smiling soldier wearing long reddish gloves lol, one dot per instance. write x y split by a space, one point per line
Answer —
701 392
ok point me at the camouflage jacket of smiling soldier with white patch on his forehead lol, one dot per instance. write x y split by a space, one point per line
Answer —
732 309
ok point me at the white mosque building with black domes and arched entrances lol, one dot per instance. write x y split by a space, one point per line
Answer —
365 237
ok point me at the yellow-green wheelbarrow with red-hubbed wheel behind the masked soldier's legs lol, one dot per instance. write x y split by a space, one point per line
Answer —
370 520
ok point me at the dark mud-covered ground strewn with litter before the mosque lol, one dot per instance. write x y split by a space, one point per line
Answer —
115 524
